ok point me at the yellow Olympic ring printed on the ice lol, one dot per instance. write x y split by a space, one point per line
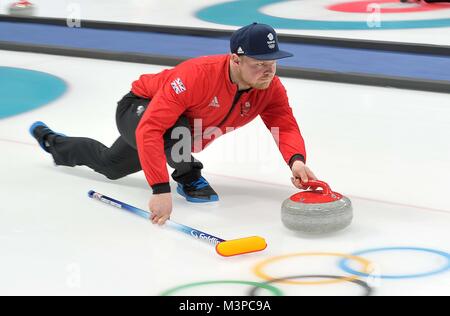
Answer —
258 269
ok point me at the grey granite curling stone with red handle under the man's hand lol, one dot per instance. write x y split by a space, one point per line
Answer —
317 211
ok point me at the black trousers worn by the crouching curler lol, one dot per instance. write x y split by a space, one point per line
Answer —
122 159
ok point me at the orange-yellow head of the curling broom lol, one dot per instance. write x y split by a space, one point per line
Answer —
241 246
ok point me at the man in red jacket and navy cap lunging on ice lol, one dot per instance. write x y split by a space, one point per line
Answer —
169 115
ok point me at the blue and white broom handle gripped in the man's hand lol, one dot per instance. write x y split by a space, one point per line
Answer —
195 233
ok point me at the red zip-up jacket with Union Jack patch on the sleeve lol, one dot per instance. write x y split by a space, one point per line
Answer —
201 88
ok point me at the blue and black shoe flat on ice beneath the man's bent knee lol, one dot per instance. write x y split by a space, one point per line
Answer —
198 191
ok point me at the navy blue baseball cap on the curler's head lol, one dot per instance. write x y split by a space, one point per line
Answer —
258 41
